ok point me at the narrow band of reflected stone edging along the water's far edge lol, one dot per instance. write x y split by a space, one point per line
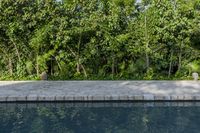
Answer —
123 104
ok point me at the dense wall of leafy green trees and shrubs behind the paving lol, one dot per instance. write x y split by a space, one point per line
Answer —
99 39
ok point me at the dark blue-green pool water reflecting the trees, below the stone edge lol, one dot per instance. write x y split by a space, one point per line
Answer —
100 118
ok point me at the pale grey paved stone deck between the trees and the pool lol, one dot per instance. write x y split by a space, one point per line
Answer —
12 91
